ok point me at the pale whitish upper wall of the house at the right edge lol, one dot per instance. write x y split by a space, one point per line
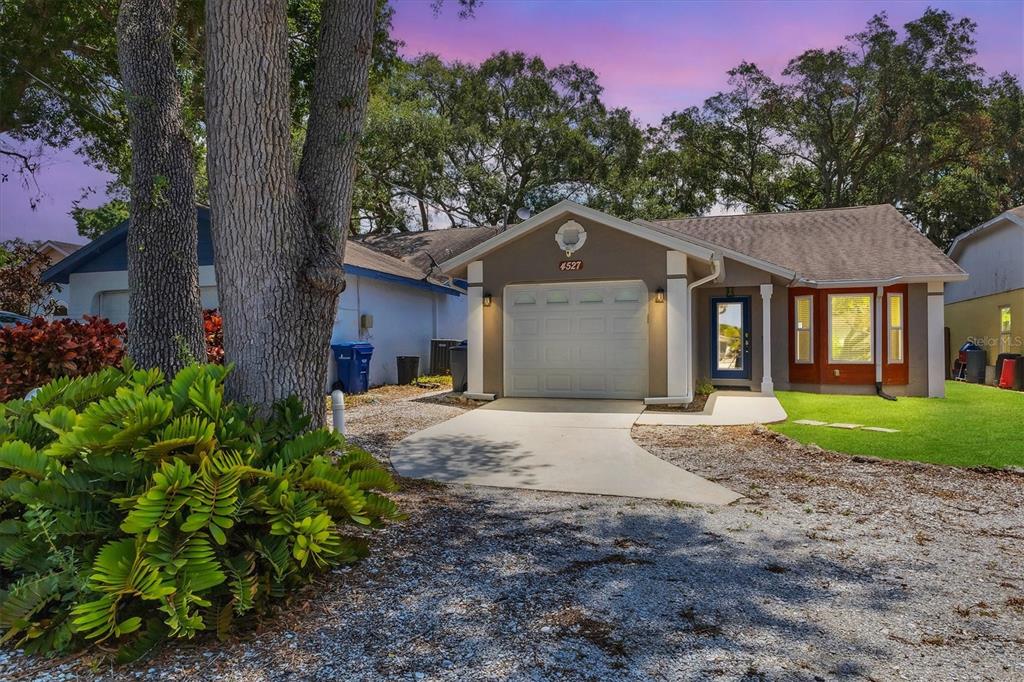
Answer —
995 262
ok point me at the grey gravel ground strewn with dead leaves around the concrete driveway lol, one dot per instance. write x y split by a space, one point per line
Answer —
833 569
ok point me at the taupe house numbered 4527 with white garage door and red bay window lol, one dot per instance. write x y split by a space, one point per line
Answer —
574 303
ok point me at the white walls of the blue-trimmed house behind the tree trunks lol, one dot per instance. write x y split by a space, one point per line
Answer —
406 318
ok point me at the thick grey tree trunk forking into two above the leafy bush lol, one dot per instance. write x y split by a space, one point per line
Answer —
280 234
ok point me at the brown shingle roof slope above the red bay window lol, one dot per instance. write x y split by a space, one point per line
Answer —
827 245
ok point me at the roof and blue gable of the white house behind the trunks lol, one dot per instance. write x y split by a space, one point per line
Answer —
109 253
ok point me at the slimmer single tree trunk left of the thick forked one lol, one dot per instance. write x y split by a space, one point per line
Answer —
165 320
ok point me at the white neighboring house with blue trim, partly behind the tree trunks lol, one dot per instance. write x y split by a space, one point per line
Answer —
389 303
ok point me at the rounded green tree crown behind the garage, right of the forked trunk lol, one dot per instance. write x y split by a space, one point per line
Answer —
475 144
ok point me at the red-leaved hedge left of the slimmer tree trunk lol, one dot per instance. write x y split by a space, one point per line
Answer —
37 353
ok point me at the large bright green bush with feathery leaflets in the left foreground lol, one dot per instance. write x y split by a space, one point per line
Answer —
134 509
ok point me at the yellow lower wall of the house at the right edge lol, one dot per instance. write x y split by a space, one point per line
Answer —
978 320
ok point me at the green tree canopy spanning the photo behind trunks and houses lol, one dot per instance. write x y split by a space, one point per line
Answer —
893 115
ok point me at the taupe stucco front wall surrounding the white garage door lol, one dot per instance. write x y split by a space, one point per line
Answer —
609 254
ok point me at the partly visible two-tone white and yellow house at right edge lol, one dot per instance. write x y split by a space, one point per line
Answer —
989 309
